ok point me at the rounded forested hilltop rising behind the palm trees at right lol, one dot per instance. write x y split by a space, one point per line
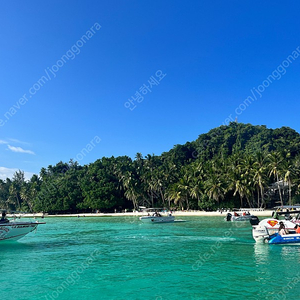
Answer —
224 141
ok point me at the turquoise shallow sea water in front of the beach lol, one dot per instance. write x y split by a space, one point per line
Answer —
120 258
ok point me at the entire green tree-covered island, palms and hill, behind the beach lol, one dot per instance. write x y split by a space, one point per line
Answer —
230 166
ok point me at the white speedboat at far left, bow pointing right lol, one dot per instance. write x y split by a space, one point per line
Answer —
12 230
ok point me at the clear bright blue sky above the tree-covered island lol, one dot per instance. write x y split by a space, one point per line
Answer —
62 92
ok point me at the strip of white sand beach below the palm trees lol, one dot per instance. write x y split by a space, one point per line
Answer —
261 213
